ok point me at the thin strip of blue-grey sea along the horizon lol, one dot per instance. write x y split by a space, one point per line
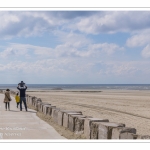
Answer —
80 86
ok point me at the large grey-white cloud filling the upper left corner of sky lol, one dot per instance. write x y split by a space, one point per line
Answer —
27 23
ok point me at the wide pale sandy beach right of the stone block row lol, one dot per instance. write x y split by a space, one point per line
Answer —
129 107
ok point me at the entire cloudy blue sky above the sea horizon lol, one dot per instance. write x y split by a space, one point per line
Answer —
75 47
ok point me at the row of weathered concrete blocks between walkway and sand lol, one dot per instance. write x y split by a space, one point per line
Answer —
76 122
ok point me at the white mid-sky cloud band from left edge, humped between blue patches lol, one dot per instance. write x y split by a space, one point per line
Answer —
72 45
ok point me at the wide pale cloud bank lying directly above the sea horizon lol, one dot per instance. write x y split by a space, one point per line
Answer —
51 70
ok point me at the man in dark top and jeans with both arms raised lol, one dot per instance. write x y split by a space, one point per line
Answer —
22 88
